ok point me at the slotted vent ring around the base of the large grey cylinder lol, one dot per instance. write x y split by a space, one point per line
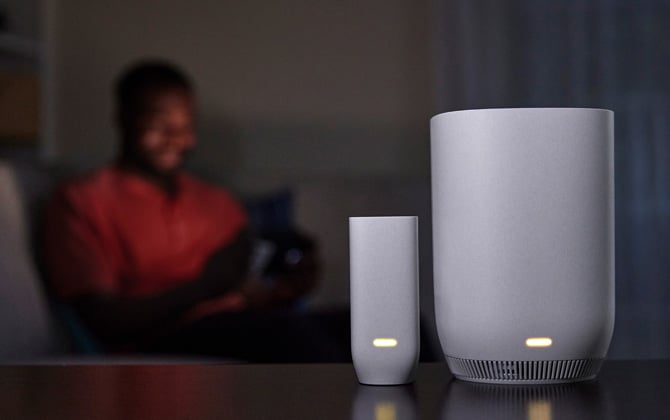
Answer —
520 371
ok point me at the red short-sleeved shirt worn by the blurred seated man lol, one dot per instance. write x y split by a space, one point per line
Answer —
115 232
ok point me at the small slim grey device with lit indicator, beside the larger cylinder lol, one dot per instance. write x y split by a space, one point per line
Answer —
384 262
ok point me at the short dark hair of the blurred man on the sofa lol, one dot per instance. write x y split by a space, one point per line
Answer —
143 77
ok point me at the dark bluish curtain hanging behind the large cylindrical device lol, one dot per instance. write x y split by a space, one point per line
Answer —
612 54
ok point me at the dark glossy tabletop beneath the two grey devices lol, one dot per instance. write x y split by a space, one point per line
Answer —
624 390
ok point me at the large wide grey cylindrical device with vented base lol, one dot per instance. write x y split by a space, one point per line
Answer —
523 230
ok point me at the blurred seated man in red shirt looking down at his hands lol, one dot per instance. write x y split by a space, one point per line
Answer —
142 251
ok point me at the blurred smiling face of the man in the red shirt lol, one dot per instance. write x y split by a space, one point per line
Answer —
164 131
